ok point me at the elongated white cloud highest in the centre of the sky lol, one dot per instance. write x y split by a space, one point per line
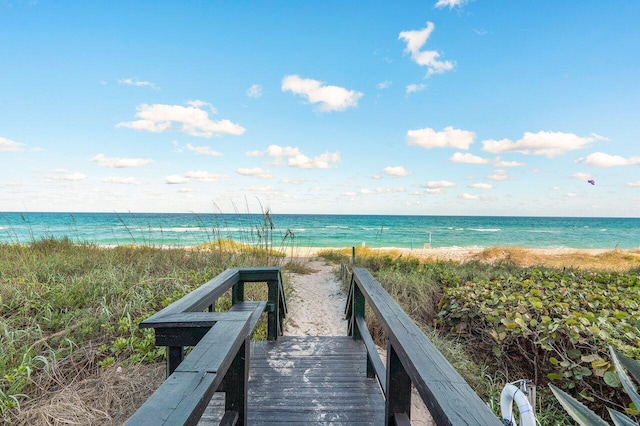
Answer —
329 98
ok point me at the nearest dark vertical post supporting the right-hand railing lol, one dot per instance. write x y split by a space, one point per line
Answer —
398 397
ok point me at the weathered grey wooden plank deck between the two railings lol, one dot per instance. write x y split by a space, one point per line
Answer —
308 380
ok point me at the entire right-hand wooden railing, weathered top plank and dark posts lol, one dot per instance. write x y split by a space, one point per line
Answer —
411 359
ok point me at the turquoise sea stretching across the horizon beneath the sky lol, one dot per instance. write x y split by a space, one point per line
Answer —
186 230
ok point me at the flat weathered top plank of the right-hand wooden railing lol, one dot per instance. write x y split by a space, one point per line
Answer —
446 394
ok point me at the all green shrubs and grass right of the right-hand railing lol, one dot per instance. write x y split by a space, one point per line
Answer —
545 324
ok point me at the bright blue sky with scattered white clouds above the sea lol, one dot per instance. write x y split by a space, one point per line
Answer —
438 107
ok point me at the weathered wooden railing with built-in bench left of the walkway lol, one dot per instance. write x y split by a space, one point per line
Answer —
219 360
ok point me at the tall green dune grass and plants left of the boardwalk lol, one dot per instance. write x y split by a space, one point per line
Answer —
59 300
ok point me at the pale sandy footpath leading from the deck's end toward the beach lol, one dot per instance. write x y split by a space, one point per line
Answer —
317 309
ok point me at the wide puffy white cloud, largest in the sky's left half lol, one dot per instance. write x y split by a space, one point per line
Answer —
191 119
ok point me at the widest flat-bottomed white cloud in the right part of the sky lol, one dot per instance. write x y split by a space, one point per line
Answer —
551 144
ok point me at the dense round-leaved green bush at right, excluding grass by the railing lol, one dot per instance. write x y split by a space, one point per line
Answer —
555 324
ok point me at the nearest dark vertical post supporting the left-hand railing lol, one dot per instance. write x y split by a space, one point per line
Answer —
235 384
